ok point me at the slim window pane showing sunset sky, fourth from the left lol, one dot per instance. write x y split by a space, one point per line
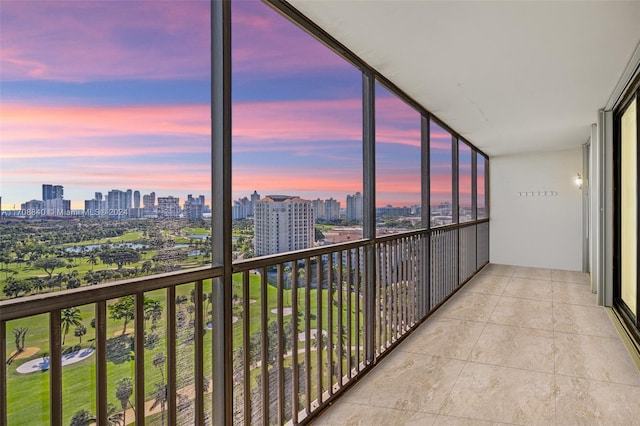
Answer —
441 180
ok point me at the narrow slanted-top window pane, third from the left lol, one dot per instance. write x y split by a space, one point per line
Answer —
398 182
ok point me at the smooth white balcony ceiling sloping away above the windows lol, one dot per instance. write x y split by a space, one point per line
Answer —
509 76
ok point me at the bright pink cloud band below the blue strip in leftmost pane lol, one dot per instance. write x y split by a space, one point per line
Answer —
35 131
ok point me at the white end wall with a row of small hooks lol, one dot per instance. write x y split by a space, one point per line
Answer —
538 231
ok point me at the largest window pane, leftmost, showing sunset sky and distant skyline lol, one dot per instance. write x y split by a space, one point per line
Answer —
106 140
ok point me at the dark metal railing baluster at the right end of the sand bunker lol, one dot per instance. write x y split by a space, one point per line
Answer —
101 362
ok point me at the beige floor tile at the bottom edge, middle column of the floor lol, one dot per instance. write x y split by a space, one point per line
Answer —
501 394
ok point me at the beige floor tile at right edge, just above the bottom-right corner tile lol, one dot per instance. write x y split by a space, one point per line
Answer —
594 357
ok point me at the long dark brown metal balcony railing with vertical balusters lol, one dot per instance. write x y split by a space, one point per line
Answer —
305 326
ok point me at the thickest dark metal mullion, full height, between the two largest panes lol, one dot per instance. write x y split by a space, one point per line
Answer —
222 356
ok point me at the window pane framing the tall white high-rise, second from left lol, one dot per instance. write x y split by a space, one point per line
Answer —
297 137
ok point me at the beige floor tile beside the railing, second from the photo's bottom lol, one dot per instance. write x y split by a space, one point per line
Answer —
408 381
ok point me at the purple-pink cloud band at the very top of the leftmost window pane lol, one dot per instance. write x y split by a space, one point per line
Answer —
81 41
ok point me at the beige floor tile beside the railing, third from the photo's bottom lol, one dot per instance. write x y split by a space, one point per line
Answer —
446 337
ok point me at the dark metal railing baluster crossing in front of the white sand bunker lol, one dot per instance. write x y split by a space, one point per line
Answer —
55 368
